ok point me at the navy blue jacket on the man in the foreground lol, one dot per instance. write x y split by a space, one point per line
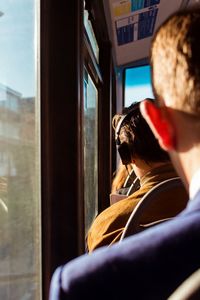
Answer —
148 265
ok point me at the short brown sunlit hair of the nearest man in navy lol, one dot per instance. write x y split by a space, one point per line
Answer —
175 61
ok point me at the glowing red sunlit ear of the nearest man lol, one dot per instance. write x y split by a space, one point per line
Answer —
159 121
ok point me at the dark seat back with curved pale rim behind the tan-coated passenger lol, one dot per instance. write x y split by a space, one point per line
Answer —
152 199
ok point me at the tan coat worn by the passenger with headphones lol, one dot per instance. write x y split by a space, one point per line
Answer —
108 226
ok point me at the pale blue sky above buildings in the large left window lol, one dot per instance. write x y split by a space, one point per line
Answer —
17 46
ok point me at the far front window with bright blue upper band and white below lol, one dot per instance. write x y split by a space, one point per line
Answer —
137 84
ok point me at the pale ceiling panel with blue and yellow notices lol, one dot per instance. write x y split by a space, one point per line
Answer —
131 24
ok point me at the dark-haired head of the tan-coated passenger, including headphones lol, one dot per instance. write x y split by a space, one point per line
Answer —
135 139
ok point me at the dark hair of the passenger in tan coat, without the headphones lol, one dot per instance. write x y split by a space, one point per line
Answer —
139 137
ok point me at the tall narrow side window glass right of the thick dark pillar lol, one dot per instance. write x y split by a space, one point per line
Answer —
90 150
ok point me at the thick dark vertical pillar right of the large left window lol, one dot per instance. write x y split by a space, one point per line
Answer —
62 187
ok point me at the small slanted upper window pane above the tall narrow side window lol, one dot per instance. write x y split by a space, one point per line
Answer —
91 35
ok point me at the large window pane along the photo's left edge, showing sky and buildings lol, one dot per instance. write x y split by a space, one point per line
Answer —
20 245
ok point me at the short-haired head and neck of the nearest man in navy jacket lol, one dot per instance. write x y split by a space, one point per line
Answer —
175 62
